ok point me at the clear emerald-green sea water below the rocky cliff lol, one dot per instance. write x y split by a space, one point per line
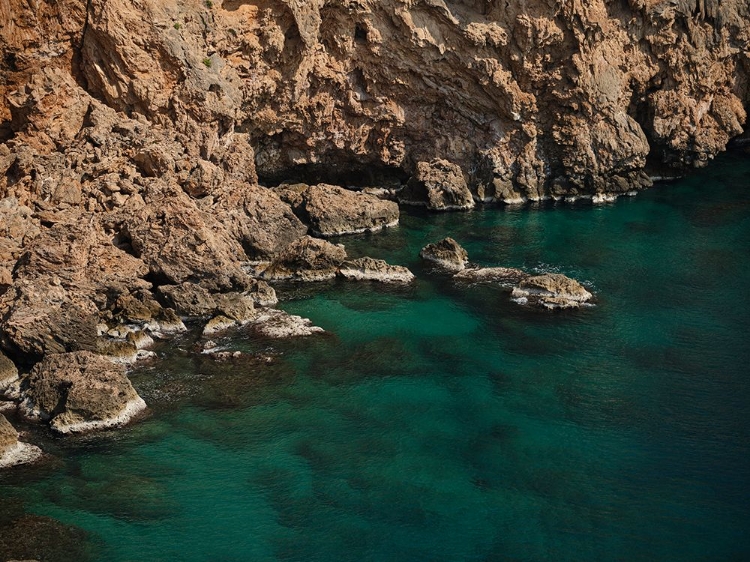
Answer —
445 423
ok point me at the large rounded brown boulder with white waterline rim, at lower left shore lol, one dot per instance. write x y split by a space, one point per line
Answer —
77 392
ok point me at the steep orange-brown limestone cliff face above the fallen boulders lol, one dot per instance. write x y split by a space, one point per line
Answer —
529 99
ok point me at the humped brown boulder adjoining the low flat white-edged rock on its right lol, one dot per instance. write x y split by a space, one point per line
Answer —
306 259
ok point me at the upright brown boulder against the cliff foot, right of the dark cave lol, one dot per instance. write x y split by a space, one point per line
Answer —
439 185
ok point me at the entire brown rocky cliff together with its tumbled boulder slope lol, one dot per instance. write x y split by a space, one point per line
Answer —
140 137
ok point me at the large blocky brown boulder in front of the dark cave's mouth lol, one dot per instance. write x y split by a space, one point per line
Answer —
331 210
